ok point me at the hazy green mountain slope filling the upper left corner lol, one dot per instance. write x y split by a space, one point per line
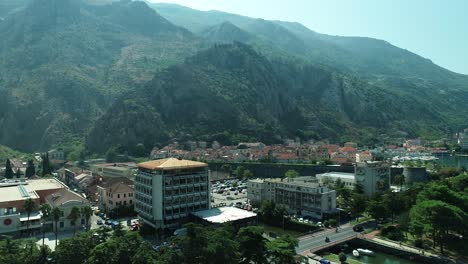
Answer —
62 63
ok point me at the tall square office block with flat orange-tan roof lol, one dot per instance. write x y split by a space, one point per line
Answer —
168 190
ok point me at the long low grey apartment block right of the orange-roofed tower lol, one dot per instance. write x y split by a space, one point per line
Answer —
302 195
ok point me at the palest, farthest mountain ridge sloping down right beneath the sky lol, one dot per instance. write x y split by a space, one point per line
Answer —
378 62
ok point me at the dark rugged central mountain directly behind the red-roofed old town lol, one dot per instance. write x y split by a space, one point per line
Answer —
231 93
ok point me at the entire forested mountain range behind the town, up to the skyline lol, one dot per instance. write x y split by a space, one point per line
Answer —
120 74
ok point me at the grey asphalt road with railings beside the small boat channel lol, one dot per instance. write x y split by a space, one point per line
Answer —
316 240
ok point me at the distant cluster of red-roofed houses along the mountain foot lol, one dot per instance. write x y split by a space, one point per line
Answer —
293 151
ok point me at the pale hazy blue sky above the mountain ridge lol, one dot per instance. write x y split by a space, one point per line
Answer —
435 29
